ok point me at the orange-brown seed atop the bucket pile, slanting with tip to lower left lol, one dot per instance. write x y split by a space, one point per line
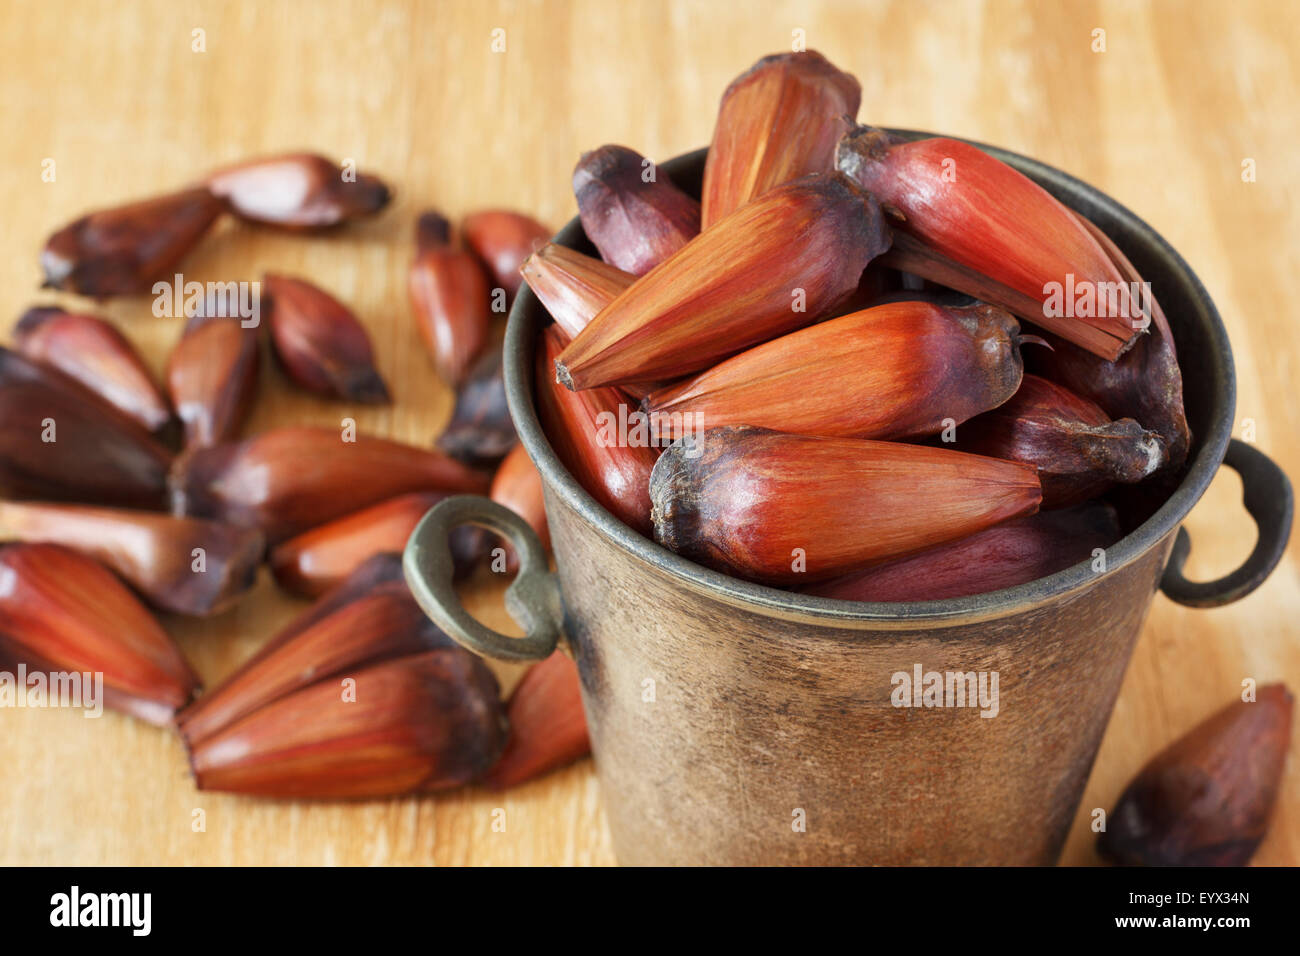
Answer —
777 265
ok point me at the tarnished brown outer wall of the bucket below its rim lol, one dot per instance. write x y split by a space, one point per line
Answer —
714 728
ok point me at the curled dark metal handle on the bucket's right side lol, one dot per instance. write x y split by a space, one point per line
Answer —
1268 499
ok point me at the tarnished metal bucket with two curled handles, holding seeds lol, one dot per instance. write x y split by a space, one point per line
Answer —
735 724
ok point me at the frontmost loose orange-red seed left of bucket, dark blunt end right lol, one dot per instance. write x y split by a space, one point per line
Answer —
424 723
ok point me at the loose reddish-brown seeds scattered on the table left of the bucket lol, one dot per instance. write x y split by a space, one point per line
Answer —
124 498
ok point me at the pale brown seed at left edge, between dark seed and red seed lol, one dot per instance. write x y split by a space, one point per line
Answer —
183 565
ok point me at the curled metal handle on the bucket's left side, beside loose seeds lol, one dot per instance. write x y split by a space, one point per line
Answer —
534 598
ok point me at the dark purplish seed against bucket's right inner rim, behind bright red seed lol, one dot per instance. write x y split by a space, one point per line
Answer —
1145 384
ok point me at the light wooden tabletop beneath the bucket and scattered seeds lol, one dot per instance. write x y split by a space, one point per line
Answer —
115 94
